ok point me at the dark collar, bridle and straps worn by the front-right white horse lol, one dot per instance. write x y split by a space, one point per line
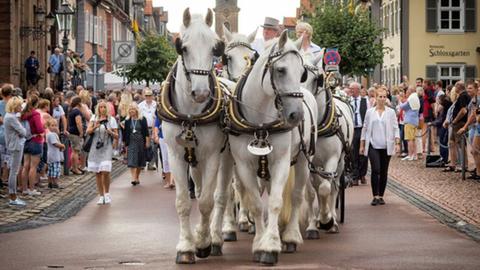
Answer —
234 122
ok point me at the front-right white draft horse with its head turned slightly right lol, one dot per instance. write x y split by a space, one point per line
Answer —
272 94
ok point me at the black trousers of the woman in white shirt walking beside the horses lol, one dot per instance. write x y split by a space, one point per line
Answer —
379 161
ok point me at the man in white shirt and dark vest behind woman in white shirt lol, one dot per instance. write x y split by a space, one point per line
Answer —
360 106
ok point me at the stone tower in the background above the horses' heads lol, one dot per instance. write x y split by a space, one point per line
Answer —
226 13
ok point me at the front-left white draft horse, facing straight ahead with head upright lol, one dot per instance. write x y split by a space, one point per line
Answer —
184 103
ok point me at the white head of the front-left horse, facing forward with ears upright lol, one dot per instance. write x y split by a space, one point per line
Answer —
197 45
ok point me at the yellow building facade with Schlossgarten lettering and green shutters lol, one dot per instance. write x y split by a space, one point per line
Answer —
432 39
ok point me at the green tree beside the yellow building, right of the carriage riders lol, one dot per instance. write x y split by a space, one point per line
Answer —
357 37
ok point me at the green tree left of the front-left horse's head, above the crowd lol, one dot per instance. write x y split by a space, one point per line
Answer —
155 56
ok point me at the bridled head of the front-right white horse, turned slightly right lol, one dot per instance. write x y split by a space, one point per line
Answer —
284 65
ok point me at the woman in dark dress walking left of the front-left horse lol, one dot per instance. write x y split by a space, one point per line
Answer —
137 141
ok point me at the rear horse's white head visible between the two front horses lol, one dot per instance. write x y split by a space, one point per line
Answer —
237 53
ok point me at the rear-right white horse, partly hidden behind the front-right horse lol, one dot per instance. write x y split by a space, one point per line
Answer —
331 148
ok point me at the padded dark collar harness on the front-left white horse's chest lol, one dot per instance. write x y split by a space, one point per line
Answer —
209 115
